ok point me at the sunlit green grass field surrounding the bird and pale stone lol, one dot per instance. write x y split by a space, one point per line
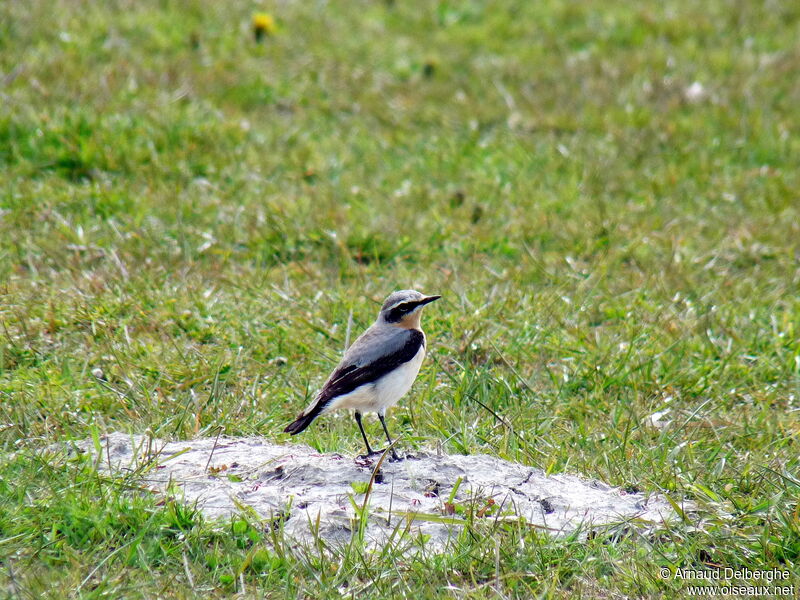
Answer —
606 195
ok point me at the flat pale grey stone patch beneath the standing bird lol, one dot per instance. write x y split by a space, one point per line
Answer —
300 487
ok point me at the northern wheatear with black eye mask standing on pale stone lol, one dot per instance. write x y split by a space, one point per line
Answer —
378 369
